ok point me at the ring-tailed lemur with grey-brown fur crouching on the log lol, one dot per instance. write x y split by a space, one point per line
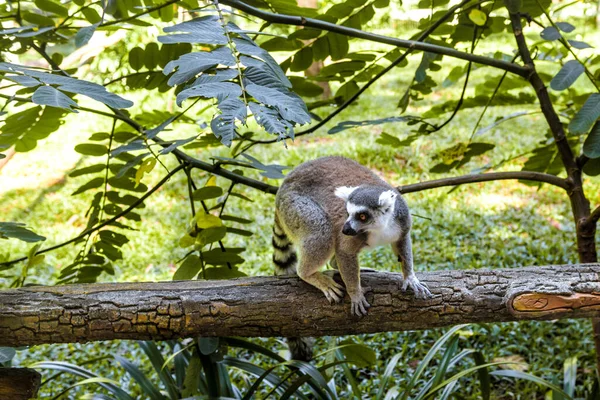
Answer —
331 208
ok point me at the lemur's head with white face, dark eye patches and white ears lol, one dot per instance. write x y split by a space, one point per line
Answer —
369 208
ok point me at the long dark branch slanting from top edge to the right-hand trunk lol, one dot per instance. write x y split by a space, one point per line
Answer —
357 33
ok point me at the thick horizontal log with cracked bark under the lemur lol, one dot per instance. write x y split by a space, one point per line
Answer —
286 306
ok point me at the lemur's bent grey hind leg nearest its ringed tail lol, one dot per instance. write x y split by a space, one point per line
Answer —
311 230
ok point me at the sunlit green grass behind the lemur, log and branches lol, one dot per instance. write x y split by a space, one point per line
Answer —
488 225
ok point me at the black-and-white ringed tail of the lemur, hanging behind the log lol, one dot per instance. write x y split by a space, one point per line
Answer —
285 260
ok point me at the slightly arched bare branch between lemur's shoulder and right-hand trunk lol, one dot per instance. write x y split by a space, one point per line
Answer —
491 176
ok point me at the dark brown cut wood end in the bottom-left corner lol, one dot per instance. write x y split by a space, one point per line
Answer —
19 383
